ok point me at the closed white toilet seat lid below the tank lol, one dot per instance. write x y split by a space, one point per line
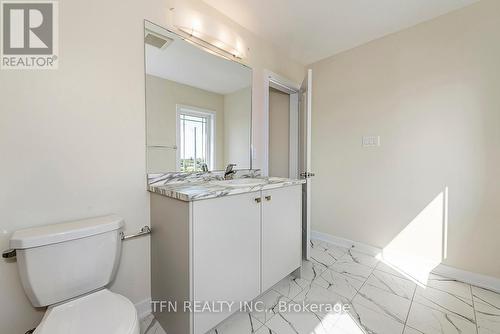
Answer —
101 312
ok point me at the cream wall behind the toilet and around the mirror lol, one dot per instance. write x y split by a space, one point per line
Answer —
72 141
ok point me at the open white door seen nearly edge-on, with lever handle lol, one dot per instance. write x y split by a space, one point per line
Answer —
305 109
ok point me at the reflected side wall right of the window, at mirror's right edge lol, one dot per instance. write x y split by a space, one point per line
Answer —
237 124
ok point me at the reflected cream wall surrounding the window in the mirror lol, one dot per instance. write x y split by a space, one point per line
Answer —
162 98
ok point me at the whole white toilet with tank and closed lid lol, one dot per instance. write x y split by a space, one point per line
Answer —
67 267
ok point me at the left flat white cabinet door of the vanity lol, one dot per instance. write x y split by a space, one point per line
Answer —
226 253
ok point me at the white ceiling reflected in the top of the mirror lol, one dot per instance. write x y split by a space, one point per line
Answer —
190 65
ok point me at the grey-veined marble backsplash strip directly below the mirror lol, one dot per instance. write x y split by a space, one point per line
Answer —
177 177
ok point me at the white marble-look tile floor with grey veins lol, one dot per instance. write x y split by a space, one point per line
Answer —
380 300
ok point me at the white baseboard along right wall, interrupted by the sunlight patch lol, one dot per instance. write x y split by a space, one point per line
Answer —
482 281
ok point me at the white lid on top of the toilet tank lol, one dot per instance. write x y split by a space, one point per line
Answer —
56 233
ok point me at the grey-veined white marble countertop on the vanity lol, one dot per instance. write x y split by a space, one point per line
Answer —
193 191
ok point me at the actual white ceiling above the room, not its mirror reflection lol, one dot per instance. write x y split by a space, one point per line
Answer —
312 30
